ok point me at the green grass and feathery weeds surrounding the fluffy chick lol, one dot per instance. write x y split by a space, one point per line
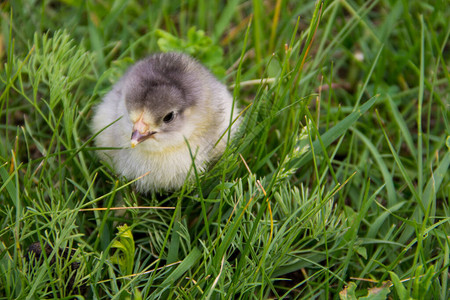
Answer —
337 182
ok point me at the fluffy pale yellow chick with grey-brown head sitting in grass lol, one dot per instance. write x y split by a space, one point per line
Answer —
164 110
